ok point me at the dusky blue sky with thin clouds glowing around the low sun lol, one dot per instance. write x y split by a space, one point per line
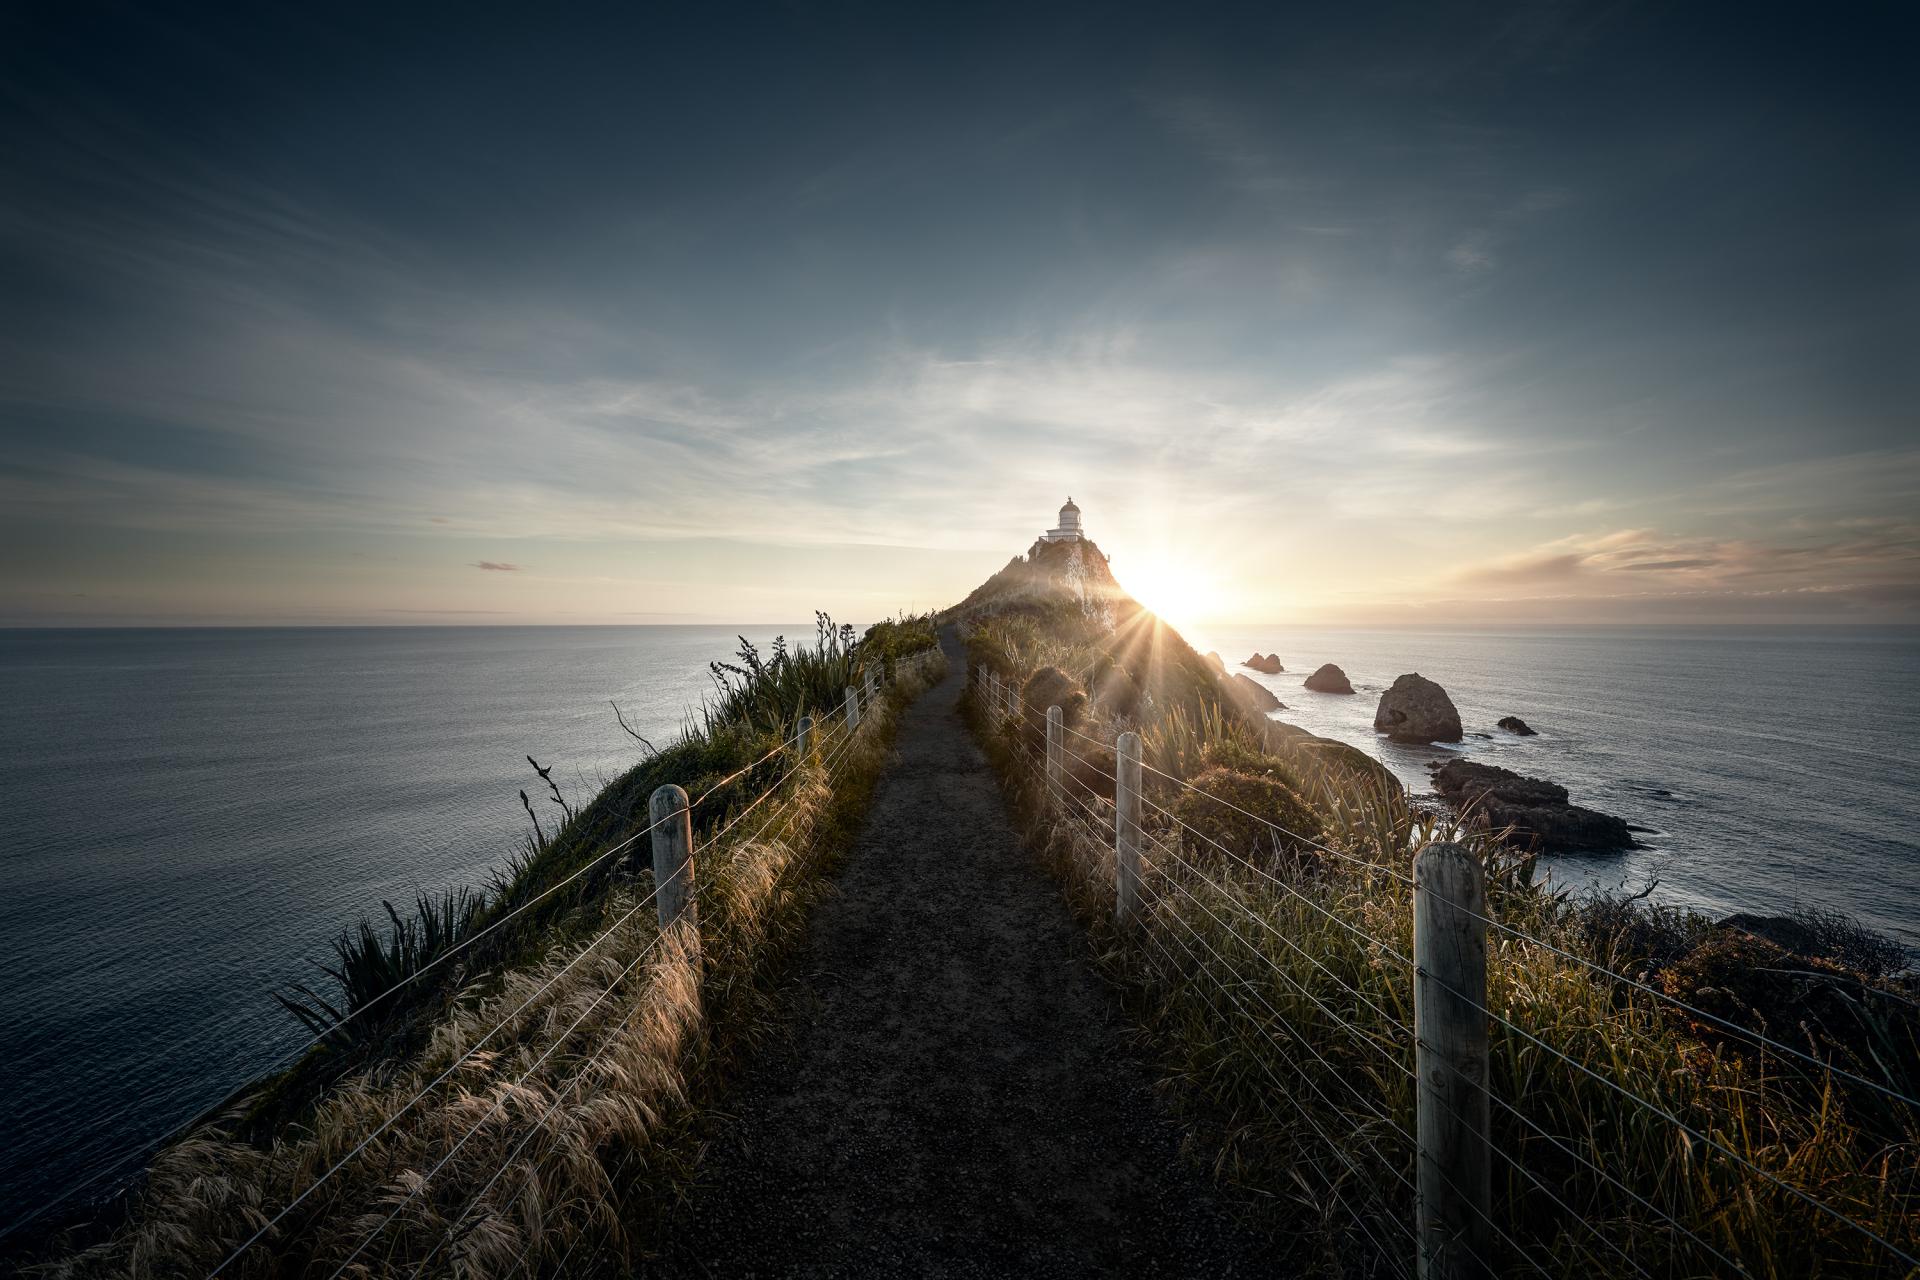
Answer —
1410 314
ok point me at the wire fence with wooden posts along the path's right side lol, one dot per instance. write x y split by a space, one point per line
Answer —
1403 1030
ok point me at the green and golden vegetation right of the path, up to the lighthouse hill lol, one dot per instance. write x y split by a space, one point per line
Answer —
1274 984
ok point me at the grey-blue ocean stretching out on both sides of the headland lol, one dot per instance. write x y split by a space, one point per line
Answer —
195 815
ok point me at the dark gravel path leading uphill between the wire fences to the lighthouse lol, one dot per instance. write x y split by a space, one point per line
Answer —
957 1097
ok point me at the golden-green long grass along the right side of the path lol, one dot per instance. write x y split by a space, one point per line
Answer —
1280 1005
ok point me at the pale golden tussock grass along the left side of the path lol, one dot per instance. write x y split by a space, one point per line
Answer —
569 1112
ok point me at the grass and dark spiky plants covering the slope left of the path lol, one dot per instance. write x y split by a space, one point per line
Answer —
535 1083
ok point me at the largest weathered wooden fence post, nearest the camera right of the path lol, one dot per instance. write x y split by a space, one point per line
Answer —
1456 1197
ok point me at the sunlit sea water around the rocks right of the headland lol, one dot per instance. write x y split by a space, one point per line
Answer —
1771 767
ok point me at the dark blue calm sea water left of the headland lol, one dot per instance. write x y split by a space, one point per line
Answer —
195 815
